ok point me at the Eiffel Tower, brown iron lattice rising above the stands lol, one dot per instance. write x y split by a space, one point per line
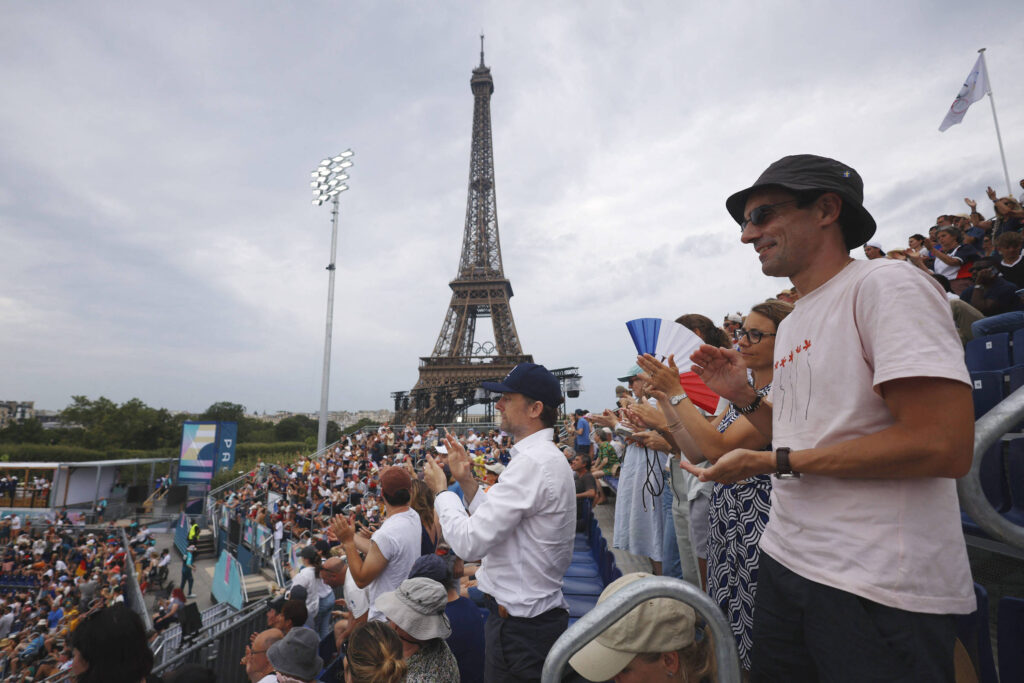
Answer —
451 375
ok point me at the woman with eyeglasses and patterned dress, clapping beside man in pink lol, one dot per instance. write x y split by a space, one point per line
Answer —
739 513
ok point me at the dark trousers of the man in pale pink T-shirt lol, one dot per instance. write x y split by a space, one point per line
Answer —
805 631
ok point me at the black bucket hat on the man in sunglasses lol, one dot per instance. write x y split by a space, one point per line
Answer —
800 173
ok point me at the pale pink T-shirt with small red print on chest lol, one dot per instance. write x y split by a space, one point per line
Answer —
897 542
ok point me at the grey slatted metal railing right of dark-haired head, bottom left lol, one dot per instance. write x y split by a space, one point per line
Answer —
222 646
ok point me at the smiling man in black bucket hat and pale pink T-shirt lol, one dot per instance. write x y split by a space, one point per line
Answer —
864 565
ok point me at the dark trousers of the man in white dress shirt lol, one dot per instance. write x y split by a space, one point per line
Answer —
516 647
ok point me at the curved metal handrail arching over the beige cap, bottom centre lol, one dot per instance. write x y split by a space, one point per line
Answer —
620 604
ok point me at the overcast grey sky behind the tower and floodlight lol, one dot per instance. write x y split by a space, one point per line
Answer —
158 240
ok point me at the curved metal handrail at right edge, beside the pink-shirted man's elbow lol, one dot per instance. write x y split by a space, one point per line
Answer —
990 430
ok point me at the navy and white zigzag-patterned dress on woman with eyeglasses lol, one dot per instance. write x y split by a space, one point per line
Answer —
738 516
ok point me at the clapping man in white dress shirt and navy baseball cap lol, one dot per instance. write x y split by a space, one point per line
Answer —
523 528
